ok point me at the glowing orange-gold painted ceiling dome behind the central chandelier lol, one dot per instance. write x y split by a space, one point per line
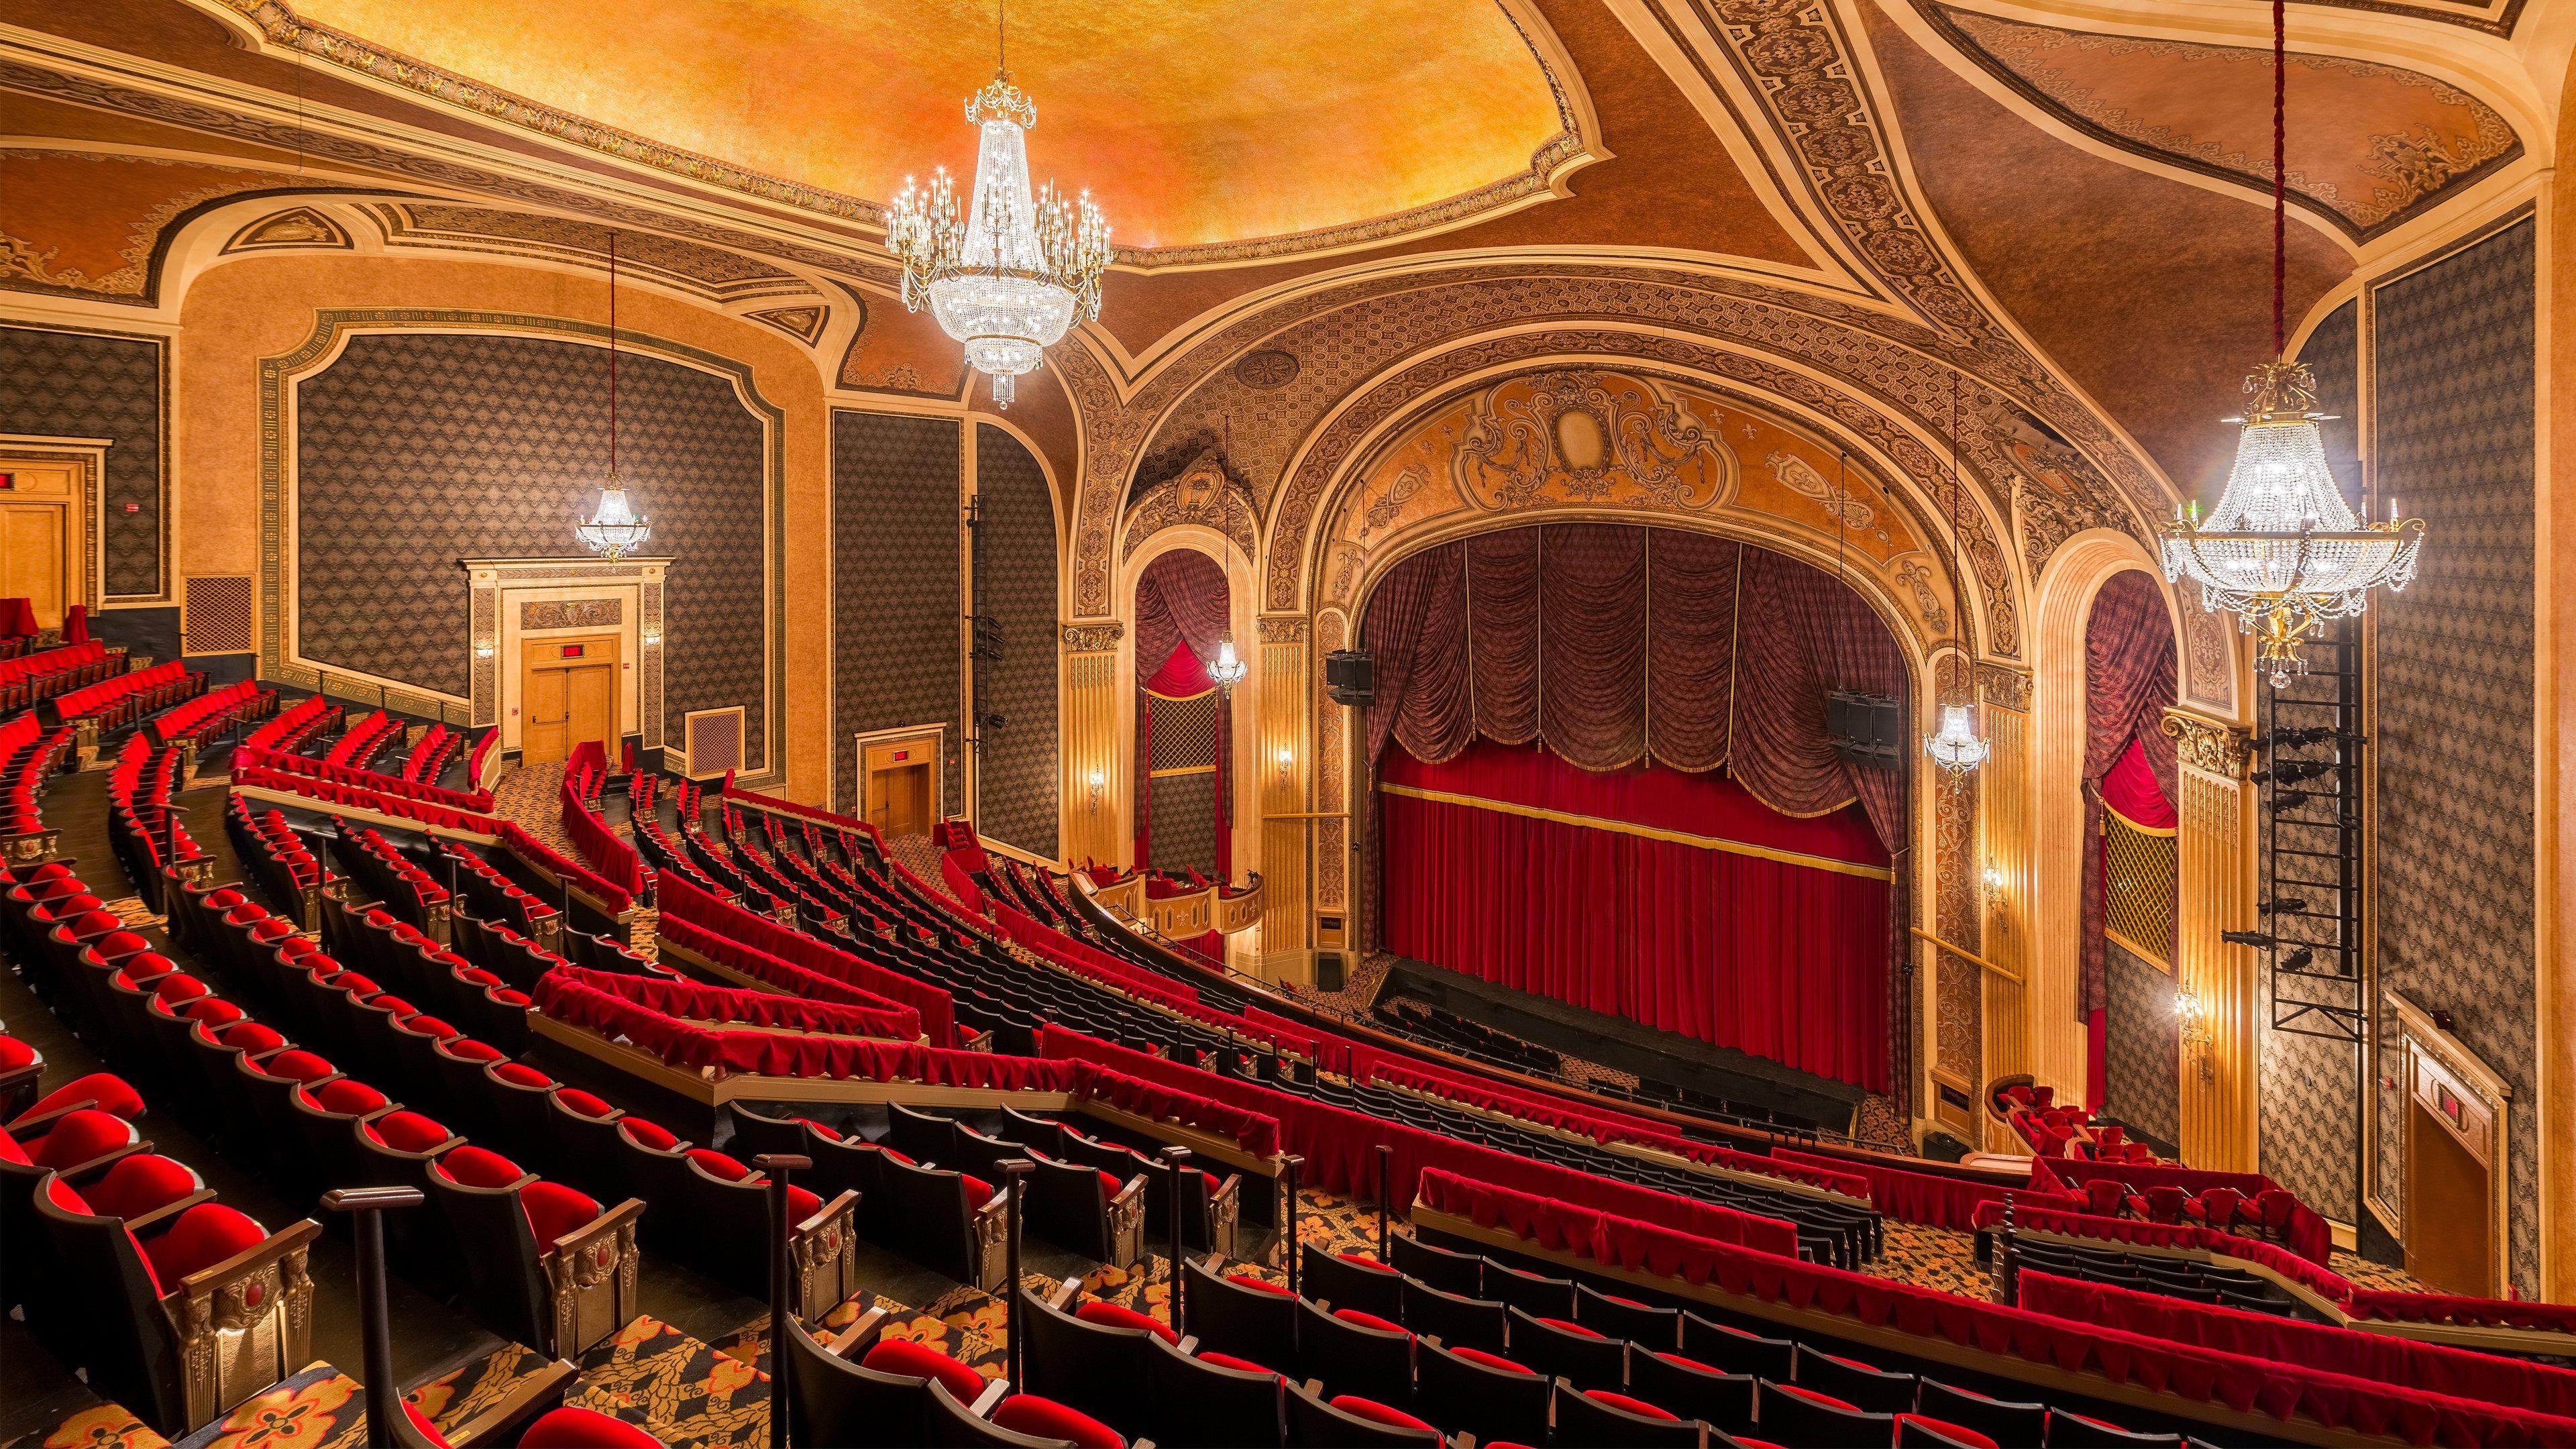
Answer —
1189 120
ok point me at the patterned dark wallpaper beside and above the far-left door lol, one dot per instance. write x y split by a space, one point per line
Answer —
81 385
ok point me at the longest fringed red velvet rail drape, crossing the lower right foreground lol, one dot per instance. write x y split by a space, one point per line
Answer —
2186 1370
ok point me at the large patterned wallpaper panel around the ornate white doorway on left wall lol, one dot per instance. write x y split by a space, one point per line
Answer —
419 450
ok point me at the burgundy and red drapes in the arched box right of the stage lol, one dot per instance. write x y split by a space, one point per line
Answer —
2129 682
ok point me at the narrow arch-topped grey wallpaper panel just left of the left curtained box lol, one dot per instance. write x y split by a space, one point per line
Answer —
1016 589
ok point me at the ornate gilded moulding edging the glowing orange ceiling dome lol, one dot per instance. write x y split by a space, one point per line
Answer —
1549 164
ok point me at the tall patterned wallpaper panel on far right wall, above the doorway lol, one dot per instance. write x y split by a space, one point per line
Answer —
2454 721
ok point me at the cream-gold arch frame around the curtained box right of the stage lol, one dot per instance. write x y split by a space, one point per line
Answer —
2057 798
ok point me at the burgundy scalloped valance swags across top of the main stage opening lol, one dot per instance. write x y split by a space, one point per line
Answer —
1616 643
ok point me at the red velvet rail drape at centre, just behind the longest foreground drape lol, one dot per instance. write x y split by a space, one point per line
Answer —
1341 1151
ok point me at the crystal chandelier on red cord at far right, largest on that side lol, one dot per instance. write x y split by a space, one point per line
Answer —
2284 550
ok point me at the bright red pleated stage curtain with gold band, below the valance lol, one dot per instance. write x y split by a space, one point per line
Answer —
1748 953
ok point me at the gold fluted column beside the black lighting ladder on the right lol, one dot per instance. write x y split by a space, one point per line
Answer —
2214 893
